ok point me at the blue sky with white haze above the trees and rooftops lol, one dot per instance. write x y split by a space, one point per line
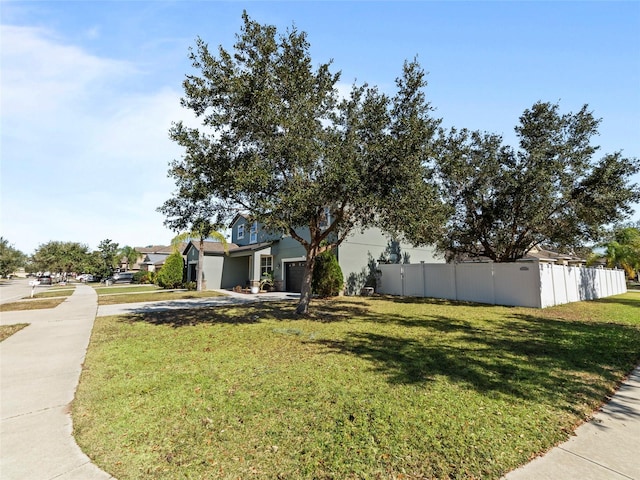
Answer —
89 89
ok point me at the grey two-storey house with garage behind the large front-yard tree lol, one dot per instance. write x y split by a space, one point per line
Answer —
254 251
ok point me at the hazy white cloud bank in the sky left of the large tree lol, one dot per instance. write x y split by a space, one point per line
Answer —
84 157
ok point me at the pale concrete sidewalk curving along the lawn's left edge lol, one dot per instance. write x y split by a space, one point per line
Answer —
39 371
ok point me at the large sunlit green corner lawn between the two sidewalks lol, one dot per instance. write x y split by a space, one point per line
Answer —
370 388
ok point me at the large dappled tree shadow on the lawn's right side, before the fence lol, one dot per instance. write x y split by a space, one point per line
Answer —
523 356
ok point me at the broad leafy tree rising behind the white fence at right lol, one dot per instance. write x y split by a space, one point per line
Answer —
551 190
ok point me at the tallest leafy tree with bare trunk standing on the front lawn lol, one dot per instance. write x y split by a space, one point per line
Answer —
278 143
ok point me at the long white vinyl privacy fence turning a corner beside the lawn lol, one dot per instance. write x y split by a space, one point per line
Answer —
535 285
